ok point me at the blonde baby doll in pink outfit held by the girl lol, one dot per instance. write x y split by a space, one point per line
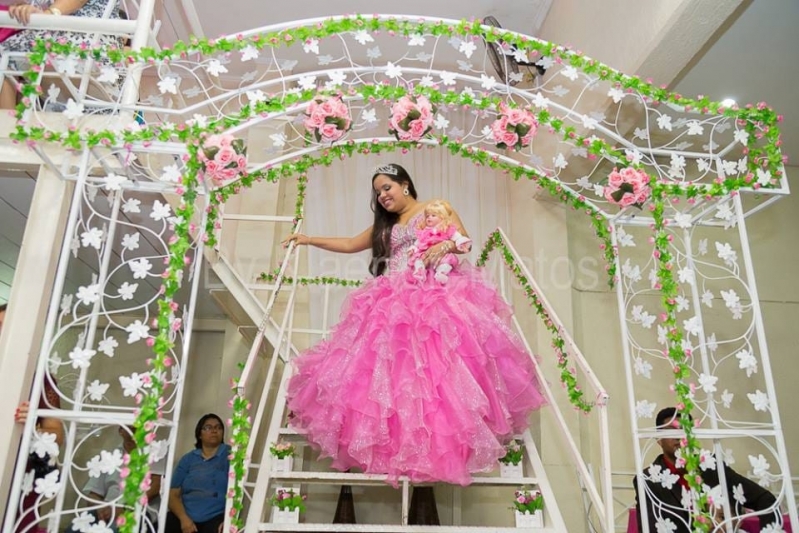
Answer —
437 226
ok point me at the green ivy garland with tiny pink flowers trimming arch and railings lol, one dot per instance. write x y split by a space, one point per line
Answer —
762 149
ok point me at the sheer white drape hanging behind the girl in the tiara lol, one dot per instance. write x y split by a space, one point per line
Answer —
337 205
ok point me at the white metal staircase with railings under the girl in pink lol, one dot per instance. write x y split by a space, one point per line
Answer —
262 481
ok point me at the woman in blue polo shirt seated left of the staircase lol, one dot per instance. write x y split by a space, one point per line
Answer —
199 483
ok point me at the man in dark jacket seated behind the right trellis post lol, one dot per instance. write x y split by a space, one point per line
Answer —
664 495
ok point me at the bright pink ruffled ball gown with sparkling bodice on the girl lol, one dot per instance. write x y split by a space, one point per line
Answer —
418 379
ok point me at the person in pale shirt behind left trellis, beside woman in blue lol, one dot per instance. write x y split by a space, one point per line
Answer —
106 488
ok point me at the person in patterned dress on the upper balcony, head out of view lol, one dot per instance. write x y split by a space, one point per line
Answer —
23 40
